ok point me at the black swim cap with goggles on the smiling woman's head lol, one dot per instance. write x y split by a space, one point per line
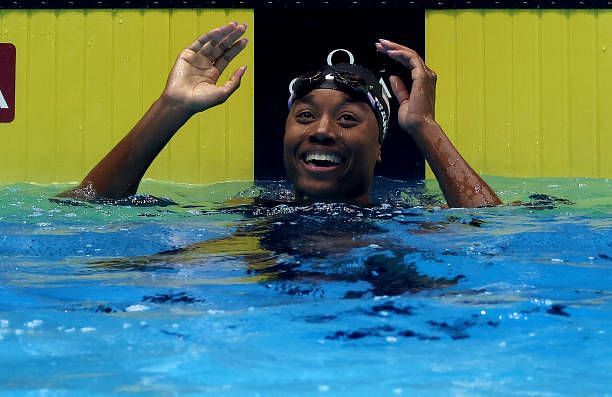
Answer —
355 80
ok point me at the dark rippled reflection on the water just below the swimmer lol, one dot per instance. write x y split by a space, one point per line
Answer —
280 241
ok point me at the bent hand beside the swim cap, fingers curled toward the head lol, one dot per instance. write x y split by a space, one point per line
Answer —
417 106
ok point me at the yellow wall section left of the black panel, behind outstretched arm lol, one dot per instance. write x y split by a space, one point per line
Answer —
84 78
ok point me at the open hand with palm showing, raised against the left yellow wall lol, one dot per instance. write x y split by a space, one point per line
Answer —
192 84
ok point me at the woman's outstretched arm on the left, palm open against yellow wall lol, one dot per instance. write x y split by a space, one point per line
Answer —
191 88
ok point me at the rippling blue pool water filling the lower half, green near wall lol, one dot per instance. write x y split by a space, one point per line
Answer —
216 295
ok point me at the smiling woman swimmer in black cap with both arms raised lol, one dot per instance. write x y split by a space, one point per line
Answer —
333 134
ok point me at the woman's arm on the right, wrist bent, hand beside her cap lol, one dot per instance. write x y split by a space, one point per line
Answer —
460 184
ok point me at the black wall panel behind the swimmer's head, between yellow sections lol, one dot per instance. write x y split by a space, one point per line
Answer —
292 41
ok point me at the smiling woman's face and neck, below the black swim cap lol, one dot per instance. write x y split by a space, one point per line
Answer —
331 147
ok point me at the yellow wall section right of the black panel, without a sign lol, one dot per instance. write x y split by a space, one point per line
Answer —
537 101
